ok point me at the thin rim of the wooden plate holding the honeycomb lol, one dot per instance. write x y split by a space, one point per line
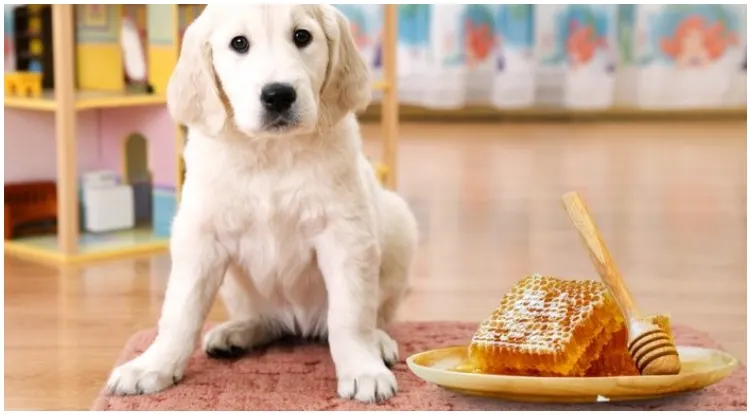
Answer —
732 365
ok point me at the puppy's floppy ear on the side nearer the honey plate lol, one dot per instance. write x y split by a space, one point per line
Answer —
347 86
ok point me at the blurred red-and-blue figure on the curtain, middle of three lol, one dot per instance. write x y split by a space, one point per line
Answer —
585 33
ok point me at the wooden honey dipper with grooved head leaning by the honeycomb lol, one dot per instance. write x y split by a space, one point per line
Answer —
651 348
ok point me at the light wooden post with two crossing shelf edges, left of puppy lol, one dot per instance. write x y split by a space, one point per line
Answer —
65 102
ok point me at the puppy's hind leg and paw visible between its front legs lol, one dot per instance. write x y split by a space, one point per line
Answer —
246 328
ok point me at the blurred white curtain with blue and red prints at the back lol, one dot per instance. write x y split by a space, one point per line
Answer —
570 56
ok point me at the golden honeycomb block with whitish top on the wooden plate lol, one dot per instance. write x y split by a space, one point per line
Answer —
547 327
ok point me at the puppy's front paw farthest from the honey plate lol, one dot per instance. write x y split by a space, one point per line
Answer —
140 376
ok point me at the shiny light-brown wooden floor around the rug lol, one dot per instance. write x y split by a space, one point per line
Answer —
670 199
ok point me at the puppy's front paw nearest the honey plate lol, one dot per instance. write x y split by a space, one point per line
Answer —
367 386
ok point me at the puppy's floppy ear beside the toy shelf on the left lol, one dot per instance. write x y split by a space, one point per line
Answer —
193 94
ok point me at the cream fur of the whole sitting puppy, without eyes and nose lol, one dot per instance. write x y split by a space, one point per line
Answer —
291 227
